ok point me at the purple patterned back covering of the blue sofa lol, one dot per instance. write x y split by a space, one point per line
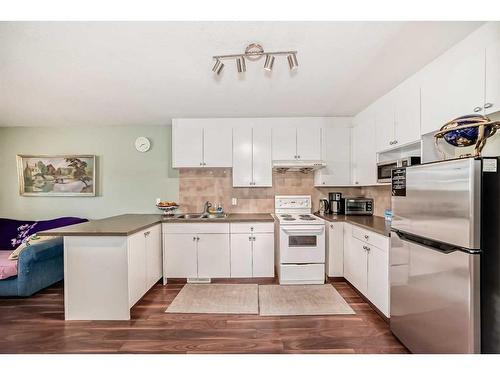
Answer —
14 232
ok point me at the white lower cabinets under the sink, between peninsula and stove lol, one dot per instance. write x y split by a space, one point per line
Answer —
213 250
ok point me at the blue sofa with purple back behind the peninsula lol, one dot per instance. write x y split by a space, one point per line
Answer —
39 265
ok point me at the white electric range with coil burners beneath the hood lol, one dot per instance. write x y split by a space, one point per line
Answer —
300 241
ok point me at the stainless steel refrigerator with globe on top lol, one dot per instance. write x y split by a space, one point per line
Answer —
445 256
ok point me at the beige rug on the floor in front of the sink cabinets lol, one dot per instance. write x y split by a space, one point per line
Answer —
216 299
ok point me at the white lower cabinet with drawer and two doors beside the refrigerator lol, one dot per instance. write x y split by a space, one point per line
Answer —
366 264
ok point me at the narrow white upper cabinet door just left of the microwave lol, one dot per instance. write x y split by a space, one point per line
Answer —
365 156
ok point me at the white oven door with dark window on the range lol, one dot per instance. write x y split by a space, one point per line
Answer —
301 244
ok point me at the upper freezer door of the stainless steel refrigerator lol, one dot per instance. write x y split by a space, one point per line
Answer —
442 202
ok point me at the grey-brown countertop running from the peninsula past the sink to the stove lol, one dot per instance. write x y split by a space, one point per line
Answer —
125 225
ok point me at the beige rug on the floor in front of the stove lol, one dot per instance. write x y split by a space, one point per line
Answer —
301 300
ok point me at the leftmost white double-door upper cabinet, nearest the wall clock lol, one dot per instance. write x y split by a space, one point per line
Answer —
201 143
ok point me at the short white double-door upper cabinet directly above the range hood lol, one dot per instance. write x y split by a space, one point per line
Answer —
297 138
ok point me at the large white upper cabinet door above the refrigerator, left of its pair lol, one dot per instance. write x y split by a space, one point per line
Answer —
452 89
